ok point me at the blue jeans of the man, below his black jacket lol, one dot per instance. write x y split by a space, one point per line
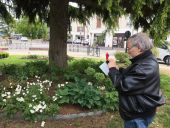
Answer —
138 122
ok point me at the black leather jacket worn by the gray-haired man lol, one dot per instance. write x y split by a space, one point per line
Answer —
138 87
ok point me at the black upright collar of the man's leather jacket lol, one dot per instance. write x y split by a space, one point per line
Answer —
141 56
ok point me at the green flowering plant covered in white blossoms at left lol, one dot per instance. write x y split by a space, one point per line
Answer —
31 100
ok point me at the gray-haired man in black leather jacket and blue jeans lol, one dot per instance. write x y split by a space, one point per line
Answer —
139 84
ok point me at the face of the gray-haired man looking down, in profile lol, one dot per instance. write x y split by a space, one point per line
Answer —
132 50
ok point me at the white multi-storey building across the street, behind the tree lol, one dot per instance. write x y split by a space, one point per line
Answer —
95 32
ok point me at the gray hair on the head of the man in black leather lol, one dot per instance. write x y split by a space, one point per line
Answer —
142 41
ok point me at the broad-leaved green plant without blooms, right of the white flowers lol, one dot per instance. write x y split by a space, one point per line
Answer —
80 93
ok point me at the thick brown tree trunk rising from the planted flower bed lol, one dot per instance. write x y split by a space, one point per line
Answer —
58 33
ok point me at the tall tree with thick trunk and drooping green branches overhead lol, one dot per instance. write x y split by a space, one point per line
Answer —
152 15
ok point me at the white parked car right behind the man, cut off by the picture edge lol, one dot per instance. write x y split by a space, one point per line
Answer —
164 53
